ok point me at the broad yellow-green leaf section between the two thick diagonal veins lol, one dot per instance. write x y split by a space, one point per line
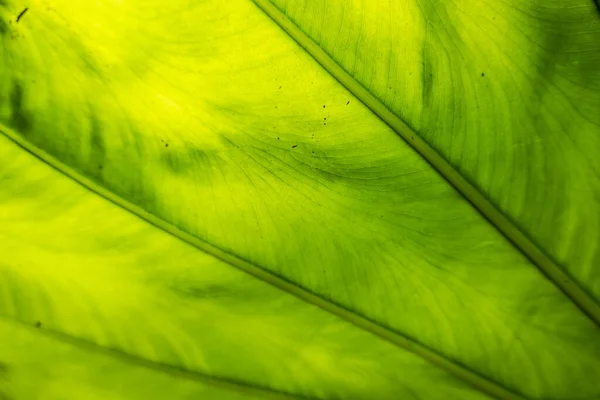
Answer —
414 253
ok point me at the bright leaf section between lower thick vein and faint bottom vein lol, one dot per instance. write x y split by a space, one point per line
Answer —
77 264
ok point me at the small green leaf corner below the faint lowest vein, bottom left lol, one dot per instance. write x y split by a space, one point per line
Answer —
35 366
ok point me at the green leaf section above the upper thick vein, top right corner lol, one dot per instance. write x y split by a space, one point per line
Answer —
507 92
